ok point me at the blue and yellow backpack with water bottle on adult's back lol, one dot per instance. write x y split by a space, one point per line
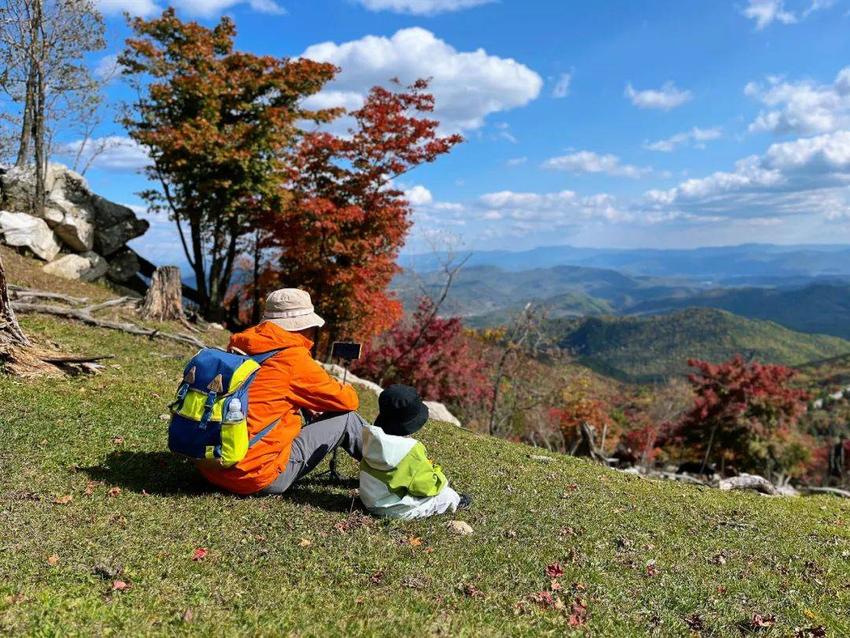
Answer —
208 417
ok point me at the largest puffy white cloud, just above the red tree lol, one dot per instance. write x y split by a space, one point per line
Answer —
467 86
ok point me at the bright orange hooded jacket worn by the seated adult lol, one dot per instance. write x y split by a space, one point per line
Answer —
286 382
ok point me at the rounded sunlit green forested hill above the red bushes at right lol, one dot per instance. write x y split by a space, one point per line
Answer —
643 349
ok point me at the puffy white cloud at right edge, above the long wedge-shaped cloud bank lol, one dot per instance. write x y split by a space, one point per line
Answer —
802 107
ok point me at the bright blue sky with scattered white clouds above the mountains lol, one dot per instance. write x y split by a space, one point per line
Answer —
616 123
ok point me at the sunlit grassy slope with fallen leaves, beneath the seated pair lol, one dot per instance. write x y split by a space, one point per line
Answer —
100 525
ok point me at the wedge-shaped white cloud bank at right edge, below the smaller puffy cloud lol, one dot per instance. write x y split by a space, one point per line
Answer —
805 176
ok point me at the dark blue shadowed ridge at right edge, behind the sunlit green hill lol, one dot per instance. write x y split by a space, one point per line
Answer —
817 308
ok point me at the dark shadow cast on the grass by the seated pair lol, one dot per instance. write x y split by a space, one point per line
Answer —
164 474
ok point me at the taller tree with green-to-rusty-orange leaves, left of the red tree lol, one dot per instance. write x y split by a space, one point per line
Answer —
220 127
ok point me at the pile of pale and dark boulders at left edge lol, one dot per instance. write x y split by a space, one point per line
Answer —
91 231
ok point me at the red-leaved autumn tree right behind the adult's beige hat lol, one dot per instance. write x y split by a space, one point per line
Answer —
347 220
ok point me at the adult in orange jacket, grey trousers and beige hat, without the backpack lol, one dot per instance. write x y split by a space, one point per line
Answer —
287 383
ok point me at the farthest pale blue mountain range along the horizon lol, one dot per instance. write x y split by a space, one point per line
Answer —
744 264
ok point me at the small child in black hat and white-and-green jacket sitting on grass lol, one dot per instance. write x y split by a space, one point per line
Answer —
396 478
